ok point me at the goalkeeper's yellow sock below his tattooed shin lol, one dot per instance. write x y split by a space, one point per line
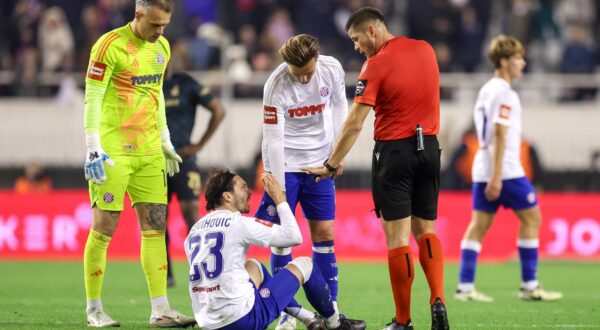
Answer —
154 261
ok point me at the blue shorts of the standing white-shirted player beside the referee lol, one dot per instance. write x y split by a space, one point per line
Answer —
316 198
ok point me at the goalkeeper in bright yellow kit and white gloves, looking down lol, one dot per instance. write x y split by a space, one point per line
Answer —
129 150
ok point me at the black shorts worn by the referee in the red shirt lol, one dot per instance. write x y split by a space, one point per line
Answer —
406 181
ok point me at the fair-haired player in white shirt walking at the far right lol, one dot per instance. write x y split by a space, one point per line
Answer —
498 176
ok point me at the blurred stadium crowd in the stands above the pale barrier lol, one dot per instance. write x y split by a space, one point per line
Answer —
56 35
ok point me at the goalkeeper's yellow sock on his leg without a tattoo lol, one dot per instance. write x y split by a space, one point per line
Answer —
94 263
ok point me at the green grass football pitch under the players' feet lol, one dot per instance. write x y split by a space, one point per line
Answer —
50 295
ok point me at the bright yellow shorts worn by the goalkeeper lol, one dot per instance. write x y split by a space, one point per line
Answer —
144 179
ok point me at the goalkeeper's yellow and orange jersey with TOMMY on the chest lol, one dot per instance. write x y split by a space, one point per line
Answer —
131 70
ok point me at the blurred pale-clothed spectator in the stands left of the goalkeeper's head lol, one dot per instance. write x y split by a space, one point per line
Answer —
56 41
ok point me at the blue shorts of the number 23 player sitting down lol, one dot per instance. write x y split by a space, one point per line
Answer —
271 298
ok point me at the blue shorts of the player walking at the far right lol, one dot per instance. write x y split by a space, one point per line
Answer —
516 194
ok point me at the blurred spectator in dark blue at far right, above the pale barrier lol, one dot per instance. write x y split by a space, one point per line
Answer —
579 57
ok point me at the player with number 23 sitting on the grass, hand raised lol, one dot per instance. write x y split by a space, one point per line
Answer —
230 292
